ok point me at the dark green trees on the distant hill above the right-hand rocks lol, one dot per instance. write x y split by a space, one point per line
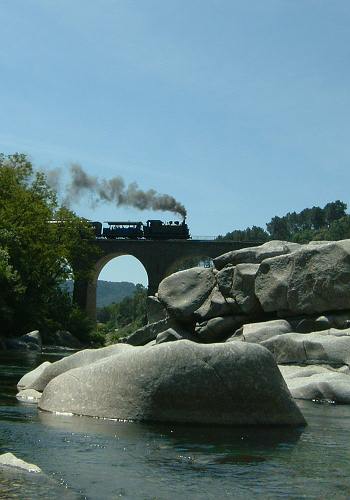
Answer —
328 223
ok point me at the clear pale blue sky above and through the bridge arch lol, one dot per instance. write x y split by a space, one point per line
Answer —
237 108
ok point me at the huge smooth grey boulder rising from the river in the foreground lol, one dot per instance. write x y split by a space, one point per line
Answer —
232 384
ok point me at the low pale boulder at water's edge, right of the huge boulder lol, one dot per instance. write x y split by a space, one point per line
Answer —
318 383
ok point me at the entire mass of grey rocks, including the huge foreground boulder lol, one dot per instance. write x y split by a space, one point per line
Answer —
280 305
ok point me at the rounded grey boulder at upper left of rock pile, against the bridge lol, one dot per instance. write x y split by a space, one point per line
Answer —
184 292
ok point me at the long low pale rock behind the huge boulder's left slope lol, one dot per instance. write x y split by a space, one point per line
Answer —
81 358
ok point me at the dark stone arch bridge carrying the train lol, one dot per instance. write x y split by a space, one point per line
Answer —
157 256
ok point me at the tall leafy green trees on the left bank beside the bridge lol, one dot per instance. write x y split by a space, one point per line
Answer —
36 255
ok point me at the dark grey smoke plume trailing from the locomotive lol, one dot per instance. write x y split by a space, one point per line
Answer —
116 191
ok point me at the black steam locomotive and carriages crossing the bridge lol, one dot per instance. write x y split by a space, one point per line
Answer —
152 230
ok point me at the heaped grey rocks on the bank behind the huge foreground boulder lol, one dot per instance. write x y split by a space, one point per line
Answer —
292 299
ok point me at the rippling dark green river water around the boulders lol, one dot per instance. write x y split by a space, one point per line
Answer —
100 459
